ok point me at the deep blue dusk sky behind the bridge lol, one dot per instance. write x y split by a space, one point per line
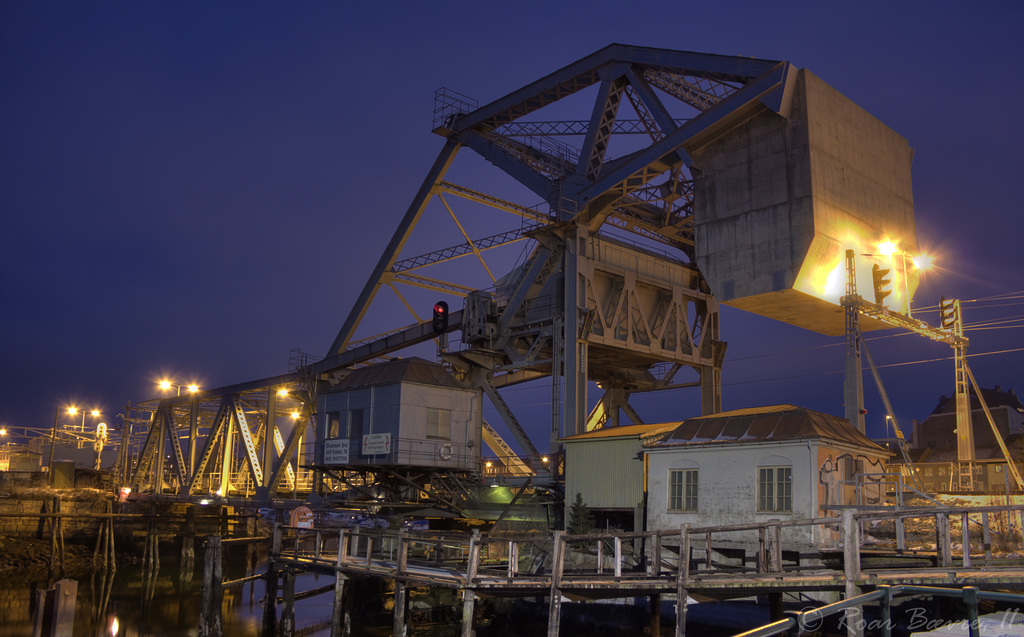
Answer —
193 189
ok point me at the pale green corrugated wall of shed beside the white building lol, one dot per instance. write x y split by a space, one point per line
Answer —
607 473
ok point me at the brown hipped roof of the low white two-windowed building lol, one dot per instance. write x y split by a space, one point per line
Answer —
775 423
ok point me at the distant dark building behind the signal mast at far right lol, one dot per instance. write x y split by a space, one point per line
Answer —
936 439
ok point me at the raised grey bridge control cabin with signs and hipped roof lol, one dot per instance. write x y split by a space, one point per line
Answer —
404 413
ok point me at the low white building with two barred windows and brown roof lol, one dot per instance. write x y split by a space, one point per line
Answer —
754 465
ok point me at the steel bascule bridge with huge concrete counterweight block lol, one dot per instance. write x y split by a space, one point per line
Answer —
636 190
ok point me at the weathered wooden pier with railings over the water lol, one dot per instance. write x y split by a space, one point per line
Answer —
593 567
